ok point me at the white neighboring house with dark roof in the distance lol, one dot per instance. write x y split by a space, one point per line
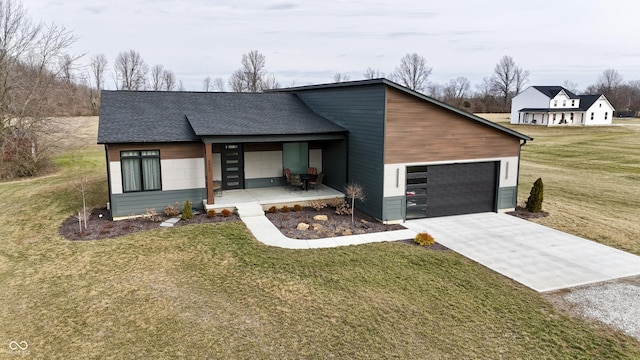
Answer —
555 105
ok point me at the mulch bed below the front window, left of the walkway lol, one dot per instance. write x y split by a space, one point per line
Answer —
100 227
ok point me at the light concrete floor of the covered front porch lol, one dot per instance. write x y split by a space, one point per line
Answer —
270 196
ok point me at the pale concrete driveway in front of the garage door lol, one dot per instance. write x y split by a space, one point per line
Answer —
536 256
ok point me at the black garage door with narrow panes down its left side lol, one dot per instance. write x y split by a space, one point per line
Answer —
452 189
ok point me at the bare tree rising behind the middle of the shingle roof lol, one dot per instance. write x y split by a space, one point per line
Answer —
252 76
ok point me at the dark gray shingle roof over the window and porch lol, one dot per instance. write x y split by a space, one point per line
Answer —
142 116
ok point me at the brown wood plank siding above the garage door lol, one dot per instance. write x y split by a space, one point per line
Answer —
419 132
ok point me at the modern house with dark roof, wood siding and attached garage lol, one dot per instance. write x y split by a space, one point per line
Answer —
413 155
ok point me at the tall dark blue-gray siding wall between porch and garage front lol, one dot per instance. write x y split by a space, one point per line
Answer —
360 110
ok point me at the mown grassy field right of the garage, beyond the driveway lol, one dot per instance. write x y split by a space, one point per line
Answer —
591 177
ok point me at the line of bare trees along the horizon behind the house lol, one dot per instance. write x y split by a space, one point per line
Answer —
39 79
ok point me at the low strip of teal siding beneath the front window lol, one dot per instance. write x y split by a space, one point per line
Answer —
137 203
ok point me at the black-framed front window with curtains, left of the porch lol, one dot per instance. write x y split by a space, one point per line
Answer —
140 170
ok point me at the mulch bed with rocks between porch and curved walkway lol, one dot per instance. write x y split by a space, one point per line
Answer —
335 225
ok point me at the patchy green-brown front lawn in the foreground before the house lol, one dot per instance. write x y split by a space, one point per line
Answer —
213 291
